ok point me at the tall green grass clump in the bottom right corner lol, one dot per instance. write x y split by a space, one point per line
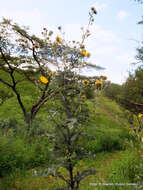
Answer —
123 171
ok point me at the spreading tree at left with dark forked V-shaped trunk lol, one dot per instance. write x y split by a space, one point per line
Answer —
19 50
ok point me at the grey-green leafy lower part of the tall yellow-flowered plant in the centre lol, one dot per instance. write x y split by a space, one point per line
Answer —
70 116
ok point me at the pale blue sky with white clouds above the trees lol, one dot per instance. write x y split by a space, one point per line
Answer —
115 34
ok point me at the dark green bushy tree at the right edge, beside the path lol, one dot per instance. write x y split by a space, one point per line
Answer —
131 98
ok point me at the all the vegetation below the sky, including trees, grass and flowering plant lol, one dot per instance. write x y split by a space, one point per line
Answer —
60 130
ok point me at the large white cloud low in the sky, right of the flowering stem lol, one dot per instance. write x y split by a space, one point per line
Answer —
106 51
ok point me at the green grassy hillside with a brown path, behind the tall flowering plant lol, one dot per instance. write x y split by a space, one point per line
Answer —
115 159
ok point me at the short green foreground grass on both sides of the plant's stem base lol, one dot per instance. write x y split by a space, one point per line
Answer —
115 167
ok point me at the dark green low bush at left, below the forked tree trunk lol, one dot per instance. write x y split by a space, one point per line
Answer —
18 154
